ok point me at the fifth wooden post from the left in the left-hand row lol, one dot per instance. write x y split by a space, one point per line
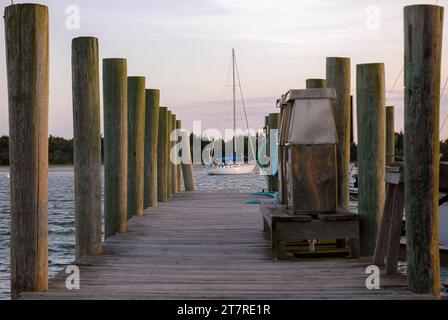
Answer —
151 139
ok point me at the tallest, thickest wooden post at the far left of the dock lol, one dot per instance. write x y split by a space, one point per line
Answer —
26 32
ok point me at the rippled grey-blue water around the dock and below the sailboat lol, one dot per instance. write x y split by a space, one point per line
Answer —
61 215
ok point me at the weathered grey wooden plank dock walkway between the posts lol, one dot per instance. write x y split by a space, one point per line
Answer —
211 246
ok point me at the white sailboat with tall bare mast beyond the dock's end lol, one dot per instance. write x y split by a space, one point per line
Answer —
233 168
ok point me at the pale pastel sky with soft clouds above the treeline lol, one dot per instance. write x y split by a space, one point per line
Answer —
184 49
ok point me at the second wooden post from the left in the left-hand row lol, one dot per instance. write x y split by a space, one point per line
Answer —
87 146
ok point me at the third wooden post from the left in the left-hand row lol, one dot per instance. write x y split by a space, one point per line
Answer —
115 93
